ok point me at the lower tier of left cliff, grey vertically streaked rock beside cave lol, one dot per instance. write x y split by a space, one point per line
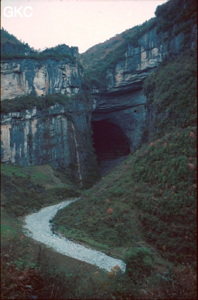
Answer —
56 136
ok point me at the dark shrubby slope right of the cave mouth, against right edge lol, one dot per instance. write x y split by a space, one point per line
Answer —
171 93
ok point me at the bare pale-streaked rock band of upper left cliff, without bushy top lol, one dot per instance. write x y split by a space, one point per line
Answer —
29 76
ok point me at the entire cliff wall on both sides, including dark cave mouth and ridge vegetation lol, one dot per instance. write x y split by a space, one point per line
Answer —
103 112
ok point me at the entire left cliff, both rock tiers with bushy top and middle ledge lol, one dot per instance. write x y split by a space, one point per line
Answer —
43 130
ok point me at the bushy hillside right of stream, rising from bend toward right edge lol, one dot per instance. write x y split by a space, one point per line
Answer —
151 195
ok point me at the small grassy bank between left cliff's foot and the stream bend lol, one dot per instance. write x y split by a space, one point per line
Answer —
25 189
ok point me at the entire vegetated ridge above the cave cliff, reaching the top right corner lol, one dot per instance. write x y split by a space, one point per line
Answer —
171 19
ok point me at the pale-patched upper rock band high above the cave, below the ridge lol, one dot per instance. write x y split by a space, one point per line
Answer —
129 73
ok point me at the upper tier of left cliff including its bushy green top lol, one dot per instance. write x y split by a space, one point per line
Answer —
26 71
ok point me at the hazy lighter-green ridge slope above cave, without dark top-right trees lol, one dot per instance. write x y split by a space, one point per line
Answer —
98 59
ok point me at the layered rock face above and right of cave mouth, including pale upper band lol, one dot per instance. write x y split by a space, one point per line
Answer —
123 102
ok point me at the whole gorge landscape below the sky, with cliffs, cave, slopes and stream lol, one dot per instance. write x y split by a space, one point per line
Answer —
114 128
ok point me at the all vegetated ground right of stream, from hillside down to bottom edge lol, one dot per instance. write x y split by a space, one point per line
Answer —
145 213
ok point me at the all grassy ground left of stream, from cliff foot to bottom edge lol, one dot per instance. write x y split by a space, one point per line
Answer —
29 269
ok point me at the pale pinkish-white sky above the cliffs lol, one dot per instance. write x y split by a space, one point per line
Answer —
47 23
